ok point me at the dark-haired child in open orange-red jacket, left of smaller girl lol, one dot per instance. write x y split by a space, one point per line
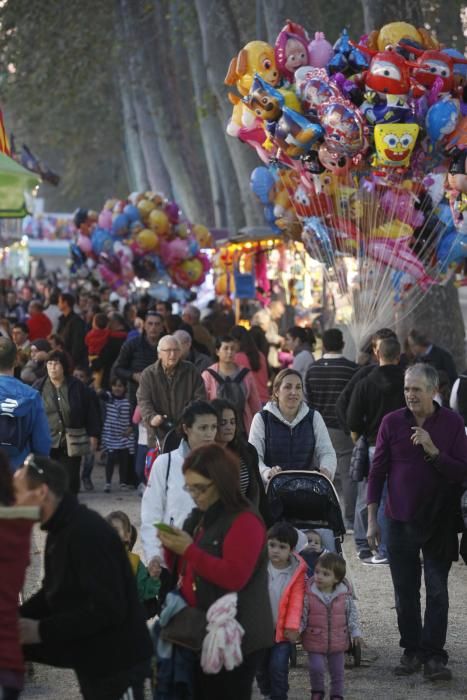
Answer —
286 575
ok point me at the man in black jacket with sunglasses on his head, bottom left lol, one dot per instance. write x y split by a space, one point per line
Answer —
86 616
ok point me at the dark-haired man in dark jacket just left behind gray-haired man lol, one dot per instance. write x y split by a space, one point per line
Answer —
138 353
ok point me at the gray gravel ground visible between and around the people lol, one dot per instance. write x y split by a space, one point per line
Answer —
376 603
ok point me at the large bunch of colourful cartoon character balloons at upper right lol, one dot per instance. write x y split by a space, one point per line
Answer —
357 134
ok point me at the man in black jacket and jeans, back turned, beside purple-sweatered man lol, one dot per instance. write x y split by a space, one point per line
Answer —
381 392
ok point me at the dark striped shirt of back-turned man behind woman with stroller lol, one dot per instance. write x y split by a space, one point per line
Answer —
325 380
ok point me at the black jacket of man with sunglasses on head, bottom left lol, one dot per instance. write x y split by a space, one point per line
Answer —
90 616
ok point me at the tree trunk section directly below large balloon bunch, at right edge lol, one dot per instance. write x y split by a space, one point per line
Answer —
439 316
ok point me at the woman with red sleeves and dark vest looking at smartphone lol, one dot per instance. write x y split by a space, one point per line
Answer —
222 549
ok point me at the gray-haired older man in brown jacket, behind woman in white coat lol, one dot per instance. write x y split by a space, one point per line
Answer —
166 387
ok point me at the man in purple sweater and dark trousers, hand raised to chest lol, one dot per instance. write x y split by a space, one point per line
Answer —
422 451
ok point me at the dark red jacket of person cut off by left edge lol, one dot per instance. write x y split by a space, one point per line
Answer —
15 538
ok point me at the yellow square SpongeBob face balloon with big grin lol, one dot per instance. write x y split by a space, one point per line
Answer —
395 143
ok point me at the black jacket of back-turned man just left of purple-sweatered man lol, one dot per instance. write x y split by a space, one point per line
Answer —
381 392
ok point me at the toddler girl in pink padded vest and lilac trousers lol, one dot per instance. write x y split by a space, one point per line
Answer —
330 622
